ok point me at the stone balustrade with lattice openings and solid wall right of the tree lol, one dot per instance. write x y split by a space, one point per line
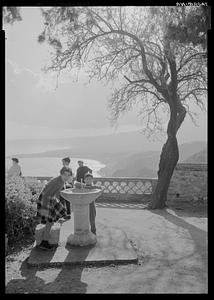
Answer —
189 181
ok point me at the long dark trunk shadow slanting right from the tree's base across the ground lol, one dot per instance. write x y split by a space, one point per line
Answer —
199 236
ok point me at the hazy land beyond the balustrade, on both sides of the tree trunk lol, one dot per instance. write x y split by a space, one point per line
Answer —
124 154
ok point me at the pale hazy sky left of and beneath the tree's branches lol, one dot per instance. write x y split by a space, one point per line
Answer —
35 108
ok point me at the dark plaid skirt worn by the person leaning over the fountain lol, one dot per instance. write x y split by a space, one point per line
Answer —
55 210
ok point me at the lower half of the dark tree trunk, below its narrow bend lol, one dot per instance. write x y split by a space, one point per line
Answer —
168 160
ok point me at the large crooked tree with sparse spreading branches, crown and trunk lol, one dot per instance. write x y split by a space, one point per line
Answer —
143 53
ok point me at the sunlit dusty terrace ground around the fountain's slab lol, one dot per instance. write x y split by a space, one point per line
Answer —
171 247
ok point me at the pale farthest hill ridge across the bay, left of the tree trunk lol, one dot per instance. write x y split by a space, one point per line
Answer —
126 142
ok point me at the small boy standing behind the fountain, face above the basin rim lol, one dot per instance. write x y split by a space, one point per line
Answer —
88 178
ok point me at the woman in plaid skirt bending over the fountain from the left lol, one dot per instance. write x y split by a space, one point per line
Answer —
49 208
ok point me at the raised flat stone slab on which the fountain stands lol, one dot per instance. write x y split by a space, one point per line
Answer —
112 246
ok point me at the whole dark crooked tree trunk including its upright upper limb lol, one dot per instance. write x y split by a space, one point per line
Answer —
170 153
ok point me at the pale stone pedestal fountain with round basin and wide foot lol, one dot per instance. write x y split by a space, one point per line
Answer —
80 200
